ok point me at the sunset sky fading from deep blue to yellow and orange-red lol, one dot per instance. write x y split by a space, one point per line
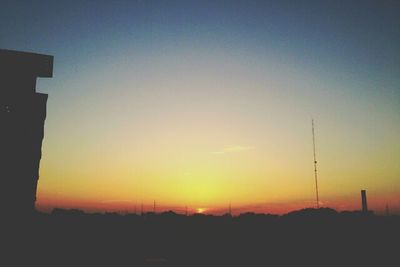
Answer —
206 103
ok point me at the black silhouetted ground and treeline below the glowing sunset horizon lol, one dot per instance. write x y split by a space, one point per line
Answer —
305 238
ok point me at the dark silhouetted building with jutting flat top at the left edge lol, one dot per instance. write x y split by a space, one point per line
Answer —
22 116
